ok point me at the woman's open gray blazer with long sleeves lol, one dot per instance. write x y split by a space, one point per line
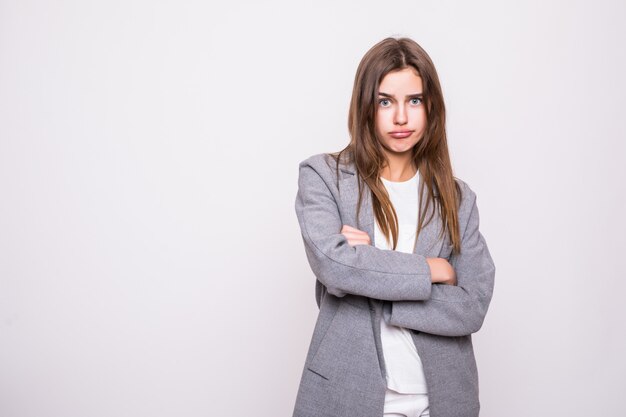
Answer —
344 371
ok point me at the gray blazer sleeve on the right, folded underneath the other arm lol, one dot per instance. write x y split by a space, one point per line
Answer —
455 310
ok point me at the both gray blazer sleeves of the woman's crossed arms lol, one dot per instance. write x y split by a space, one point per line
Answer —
404 279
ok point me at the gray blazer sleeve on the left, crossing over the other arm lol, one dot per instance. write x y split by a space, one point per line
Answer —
343 269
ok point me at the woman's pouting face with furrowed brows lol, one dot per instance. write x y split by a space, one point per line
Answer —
401 115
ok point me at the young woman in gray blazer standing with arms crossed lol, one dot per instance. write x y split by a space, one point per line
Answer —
404 276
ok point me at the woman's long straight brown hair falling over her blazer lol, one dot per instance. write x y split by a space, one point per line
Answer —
430 154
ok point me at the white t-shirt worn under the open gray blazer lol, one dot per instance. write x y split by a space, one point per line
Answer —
405 373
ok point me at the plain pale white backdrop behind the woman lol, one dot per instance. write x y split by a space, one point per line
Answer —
151 263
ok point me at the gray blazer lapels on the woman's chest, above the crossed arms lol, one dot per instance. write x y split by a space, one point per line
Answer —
427 244
